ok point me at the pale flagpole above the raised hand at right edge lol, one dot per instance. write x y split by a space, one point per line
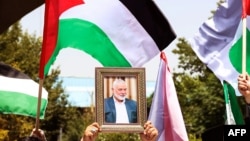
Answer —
244 44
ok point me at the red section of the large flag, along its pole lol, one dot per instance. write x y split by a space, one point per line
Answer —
53 9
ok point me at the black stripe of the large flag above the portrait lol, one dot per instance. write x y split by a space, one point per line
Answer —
153 21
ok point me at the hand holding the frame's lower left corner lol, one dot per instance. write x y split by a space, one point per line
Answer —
91 132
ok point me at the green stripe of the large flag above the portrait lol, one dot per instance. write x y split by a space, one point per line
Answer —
87 37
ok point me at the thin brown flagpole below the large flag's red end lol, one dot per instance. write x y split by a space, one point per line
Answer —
39 104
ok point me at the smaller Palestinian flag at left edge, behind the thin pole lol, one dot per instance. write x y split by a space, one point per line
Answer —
19 93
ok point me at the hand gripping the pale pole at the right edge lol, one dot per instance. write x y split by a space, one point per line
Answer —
244 86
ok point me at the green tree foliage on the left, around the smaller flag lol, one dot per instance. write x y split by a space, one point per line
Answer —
22 51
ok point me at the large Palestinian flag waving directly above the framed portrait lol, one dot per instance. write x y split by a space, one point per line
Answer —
120 33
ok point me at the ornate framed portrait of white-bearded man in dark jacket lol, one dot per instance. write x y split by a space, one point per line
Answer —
120 99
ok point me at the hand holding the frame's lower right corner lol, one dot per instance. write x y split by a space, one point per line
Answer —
150 133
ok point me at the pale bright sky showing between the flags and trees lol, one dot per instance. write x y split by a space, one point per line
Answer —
185 17
